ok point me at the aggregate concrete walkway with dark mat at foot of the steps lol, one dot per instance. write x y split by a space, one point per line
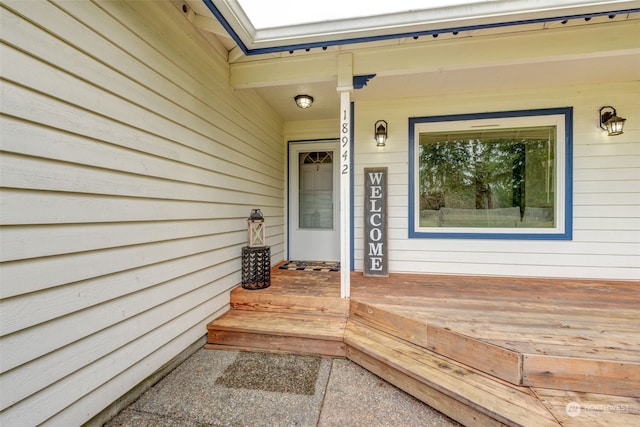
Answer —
230 388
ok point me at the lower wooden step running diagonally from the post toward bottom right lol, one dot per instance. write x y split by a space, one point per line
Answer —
464 394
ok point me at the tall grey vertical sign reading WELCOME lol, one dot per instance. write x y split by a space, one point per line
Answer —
375 222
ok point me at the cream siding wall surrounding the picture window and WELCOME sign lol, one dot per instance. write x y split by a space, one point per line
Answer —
606 188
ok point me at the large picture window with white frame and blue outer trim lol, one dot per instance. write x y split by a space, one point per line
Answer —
491 175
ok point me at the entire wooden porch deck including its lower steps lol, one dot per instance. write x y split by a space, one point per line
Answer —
483 350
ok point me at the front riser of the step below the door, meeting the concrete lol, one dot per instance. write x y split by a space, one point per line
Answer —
234 340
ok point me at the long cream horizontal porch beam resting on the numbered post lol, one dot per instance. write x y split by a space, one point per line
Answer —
531 47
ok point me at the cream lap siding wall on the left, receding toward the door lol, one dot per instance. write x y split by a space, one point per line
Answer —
129 167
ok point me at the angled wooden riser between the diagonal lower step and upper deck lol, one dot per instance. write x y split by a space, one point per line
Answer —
494 360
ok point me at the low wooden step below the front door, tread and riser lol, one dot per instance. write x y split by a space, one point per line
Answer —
300 333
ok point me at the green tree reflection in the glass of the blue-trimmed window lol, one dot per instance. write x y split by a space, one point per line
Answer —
486 169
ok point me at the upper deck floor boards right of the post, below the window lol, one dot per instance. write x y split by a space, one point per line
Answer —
562 317
